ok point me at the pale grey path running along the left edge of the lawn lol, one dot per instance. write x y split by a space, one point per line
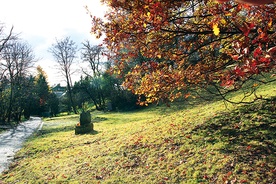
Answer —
12 140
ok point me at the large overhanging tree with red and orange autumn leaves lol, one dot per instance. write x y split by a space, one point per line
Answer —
188 43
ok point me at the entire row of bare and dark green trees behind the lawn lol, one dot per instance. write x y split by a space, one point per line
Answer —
23 95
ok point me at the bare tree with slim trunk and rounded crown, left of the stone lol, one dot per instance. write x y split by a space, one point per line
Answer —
64 51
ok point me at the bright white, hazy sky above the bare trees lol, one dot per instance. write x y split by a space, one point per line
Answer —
41 22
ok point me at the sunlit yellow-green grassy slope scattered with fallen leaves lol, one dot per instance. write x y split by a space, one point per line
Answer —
182 144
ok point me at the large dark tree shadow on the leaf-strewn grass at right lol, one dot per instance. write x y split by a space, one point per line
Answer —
248 135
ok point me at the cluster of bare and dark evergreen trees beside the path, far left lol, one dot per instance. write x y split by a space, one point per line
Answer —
21 94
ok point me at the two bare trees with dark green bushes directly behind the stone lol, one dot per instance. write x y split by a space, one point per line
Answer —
97 85
